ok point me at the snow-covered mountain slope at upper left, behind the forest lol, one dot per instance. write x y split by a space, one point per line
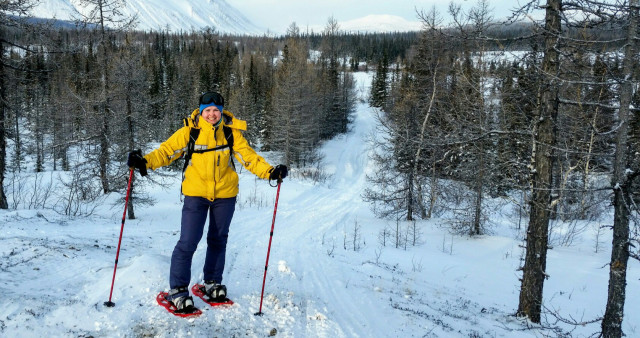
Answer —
174 15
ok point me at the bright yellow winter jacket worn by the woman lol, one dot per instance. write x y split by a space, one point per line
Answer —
211 174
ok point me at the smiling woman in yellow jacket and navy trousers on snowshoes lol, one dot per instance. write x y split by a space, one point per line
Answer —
210 186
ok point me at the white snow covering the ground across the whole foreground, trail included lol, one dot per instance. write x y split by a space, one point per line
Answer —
56 271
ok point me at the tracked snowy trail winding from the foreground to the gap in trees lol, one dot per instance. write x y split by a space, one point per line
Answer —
325 210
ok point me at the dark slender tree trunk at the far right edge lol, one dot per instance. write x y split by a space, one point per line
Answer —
614 313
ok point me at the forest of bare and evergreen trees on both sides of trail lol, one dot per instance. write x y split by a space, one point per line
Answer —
541 113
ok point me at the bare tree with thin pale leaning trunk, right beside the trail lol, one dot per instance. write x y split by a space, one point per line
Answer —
406 154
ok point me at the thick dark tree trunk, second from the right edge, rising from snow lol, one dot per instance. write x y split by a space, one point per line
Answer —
534 269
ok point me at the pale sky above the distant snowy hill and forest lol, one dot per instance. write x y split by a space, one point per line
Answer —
277 15
